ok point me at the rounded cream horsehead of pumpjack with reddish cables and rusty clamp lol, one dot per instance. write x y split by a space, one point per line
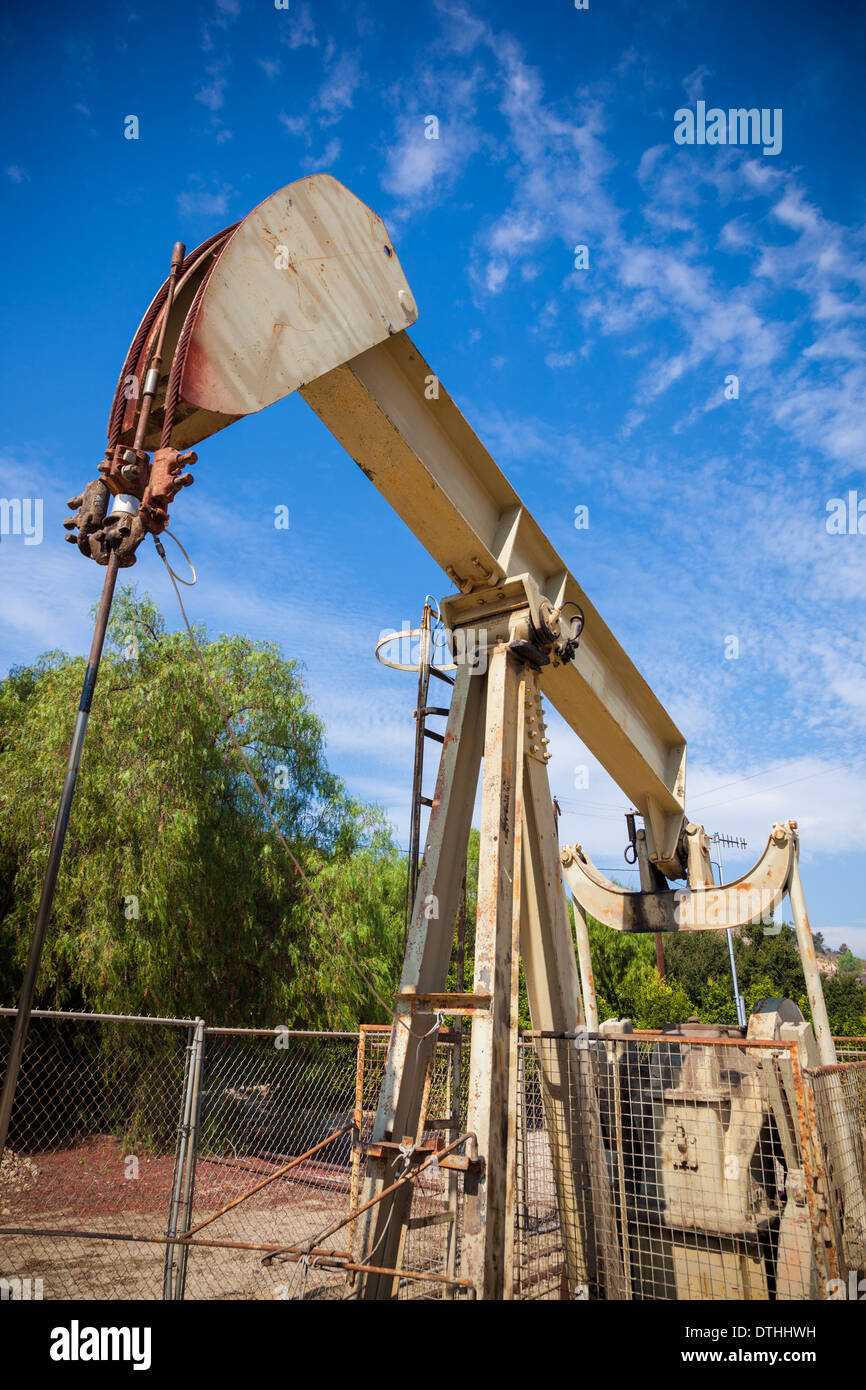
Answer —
318 290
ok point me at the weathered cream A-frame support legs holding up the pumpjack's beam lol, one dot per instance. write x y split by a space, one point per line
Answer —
497 719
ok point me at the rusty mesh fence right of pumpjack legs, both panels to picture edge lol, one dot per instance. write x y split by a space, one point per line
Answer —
690 1168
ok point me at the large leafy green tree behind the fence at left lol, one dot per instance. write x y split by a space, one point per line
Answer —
176 896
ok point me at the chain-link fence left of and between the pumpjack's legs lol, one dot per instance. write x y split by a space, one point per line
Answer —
130 1132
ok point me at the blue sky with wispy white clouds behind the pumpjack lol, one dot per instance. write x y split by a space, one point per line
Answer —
601 387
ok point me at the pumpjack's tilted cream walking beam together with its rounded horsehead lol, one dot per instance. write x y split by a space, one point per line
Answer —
307 294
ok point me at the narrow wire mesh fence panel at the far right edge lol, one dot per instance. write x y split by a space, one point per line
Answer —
840 1104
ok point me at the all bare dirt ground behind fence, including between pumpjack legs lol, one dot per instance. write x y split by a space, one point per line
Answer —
94 1188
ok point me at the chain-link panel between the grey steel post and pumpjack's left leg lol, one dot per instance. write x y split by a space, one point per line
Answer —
269 1099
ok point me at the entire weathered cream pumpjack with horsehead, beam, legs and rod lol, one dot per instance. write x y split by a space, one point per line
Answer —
308 294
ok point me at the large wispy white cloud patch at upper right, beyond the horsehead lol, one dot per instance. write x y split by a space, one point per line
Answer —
559 172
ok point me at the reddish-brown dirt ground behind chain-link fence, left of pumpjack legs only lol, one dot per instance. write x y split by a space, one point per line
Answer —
92 1188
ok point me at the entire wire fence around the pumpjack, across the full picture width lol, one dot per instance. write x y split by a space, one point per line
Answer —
647 1166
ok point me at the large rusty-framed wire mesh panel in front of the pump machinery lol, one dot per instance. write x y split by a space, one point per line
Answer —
678 1170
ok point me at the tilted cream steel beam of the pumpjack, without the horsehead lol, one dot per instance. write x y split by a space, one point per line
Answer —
436 473
